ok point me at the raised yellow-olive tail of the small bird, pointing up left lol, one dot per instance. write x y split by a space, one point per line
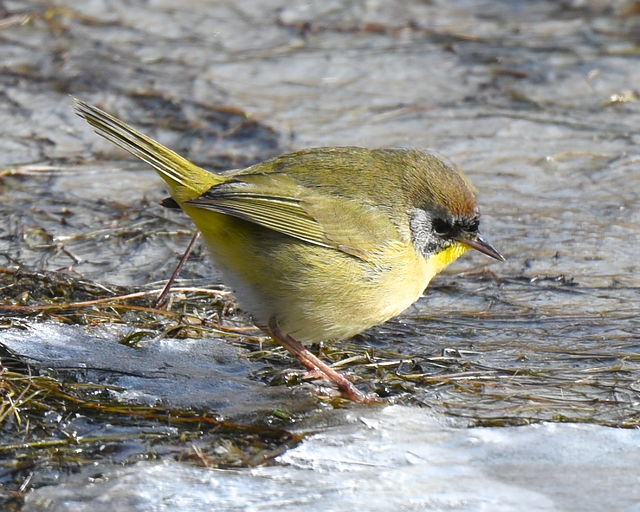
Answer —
186 179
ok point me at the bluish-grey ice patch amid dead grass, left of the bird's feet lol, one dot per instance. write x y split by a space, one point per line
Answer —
206 373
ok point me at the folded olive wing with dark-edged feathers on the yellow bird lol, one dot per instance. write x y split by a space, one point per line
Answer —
278 202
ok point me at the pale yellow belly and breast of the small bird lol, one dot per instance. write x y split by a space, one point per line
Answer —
314 293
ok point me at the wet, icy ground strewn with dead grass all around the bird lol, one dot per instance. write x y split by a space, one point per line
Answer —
114 403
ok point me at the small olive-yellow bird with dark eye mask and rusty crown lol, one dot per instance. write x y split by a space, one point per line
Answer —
323 243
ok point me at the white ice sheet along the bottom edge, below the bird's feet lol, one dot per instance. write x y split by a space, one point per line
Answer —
395 458
